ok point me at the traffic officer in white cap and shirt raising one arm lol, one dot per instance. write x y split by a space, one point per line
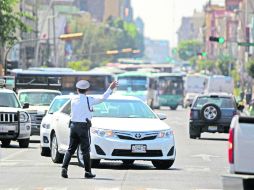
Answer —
81 108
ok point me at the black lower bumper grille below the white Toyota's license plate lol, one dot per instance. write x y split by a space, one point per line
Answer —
149 153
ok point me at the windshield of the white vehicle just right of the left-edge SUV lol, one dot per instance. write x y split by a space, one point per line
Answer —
37 98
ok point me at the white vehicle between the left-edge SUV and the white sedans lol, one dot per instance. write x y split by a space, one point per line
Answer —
39 101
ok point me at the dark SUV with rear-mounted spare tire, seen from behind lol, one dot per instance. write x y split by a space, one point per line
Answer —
212 113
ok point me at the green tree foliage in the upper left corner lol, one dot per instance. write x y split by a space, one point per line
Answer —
10 22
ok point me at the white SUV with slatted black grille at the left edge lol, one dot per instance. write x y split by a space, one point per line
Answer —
15 123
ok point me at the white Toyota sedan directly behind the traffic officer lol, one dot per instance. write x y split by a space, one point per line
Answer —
124 128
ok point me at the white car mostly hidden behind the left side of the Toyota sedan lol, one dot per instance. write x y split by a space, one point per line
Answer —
56 104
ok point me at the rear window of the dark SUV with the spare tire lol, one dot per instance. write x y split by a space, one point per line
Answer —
221 102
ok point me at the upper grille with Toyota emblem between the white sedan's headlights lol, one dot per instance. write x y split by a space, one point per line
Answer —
137 135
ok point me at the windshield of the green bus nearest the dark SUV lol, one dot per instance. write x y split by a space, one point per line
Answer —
171 85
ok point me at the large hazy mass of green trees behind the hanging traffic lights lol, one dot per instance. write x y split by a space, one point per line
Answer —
98 38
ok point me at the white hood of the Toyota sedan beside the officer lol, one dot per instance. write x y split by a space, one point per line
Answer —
129 124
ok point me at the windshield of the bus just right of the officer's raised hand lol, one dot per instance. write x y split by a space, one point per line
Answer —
136 83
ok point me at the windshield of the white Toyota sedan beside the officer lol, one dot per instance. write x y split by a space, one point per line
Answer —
123 109
